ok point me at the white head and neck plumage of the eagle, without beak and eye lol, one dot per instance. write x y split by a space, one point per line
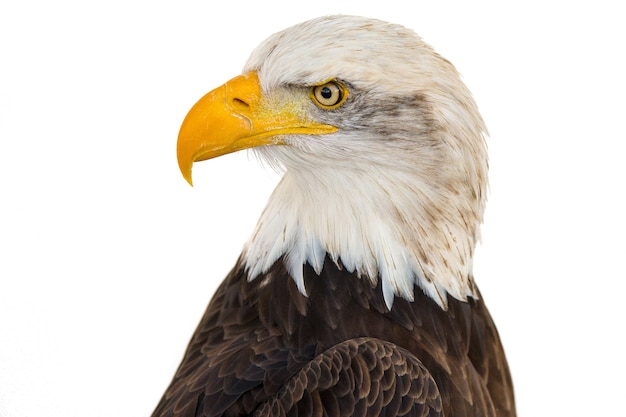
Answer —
398 192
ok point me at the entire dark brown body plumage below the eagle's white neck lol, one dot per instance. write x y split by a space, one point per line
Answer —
262 347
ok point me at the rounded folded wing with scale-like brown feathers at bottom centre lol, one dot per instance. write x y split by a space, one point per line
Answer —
358 377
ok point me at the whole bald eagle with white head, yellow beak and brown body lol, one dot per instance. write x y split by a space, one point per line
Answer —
354 296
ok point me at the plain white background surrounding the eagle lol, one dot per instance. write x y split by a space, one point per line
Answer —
108 258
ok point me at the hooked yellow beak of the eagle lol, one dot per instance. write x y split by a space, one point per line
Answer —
235 116
